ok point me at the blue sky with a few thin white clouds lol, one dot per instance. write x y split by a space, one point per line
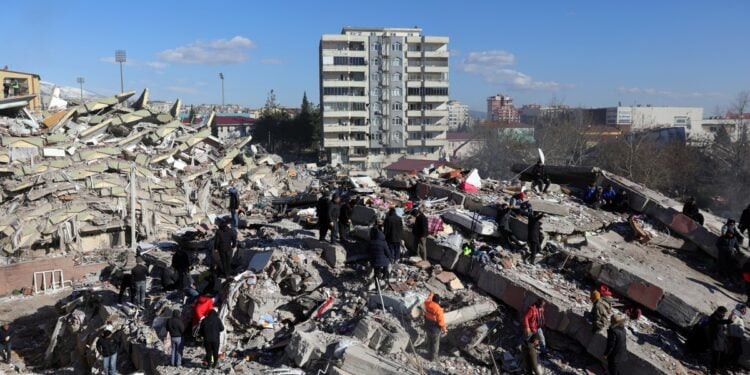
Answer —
590 53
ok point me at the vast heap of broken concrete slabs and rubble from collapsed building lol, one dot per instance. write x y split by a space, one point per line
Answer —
79 181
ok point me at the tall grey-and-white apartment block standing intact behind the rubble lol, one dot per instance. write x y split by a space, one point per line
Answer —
383 94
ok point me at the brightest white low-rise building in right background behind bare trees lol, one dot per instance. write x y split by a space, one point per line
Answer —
645 117
